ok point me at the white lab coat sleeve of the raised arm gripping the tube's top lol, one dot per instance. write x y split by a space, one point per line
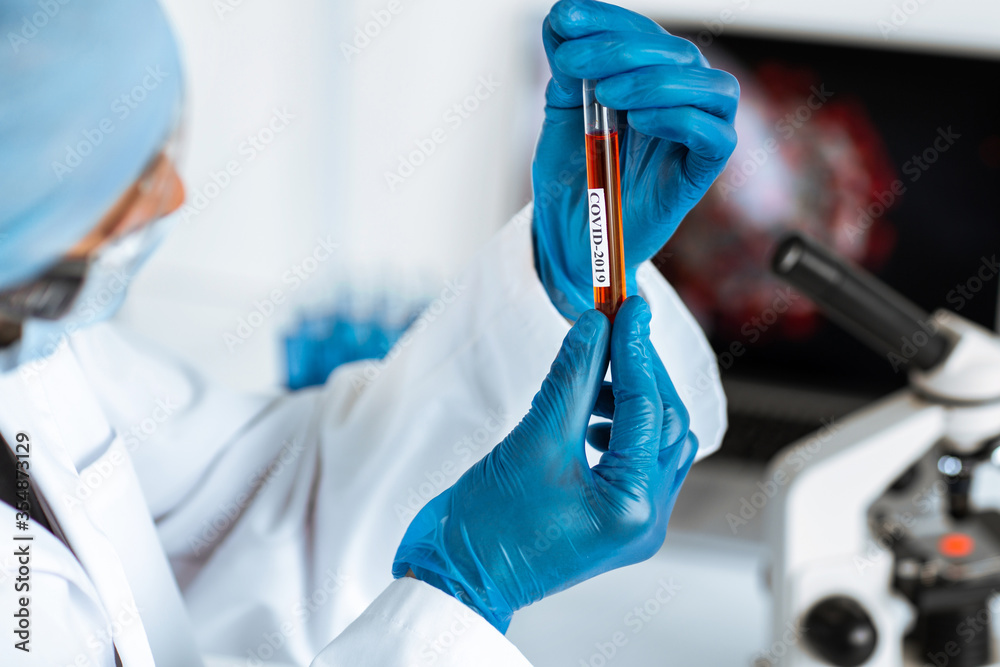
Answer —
321 484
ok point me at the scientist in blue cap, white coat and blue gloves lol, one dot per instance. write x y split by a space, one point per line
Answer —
338 525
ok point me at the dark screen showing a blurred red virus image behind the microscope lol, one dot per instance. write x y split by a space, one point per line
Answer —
892 158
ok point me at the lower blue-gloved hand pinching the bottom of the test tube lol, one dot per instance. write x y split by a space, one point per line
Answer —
532 517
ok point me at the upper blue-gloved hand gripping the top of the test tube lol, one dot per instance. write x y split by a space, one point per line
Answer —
677 140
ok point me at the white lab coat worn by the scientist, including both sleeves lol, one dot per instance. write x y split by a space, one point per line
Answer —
278 516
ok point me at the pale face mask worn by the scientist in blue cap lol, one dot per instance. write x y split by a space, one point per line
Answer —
100 297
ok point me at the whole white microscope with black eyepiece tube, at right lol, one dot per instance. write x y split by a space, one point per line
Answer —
880 556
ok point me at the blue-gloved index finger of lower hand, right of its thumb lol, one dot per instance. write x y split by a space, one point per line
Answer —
633 448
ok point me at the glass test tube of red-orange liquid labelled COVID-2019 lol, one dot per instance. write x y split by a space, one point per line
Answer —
604 203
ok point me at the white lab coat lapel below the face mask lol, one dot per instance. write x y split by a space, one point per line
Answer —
84 476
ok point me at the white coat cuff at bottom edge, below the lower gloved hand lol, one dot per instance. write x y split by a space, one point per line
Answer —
412 623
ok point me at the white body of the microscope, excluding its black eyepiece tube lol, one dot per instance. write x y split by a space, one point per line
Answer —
834 564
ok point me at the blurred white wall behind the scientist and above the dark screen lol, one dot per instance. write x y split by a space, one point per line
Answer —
324 174
